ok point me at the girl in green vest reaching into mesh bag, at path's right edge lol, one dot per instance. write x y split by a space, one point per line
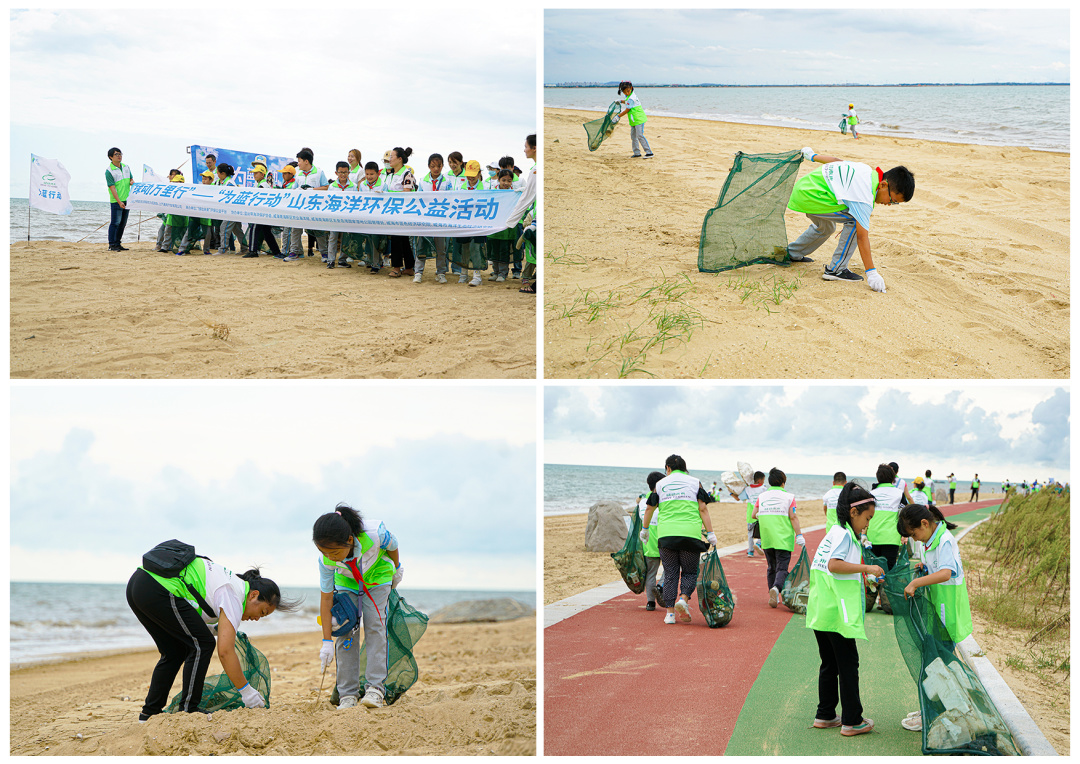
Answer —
944 579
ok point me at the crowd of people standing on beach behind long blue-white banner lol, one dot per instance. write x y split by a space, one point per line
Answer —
509 254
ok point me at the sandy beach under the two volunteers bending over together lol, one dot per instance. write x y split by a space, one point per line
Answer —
476 696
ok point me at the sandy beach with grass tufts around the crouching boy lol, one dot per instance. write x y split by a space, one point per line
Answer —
977 265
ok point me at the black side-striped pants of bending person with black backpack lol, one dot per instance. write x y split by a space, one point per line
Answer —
182 637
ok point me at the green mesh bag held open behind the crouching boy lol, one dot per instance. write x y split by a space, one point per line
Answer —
747 226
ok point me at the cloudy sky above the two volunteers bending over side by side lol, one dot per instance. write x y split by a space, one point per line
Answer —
242 472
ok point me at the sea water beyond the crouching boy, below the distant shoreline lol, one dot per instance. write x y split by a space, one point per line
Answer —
1032 116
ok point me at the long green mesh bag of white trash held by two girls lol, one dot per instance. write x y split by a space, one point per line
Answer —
958 716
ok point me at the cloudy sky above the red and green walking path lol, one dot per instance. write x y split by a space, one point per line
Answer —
1002 433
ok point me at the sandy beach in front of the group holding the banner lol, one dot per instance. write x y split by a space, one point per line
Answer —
82 312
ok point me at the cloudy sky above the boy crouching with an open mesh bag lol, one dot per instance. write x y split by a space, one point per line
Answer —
795 47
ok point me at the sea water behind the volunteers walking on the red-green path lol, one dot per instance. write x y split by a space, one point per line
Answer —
573 490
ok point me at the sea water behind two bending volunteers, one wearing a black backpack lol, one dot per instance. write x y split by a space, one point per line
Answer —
51 621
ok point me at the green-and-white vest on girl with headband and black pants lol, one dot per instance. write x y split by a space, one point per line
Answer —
836 600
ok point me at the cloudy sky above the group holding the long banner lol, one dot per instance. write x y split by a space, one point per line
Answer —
155 83
